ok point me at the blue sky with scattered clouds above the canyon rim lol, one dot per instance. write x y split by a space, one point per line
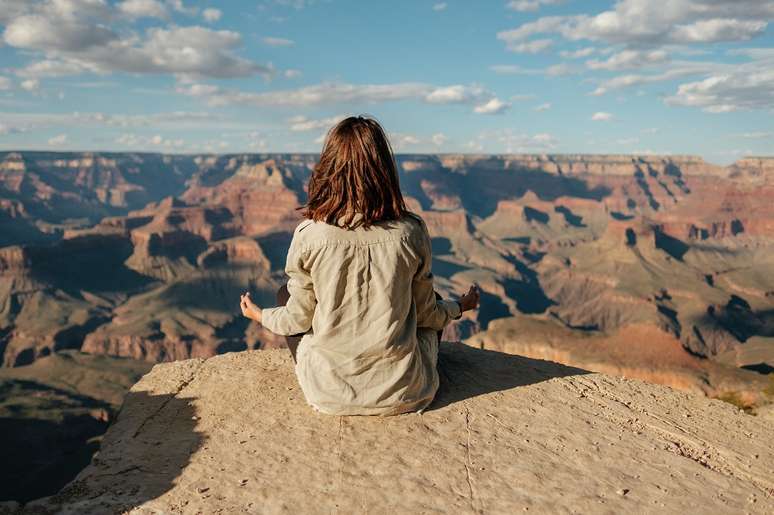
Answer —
545 76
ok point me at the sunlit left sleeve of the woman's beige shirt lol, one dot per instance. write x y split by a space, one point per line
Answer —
296 315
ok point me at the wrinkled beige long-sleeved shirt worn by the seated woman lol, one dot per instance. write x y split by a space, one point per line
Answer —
365 299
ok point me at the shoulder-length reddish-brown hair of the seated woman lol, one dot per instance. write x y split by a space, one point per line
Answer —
356 174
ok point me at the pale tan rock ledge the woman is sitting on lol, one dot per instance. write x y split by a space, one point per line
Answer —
233 434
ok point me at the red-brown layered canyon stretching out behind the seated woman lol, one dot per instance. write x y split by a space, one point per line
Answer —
658 268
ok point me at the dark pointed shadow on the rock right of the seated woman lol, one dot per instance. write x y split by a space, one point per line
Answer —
467 372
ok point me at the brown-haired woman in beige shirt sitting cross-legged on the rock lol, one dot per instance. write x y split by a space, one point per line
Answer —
359 310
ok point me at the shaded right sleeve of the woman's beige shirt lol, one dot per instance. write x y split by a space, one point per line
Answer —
431 312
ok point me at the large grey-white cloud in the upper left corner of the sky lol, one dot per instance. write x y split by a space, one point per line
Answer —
74 37
